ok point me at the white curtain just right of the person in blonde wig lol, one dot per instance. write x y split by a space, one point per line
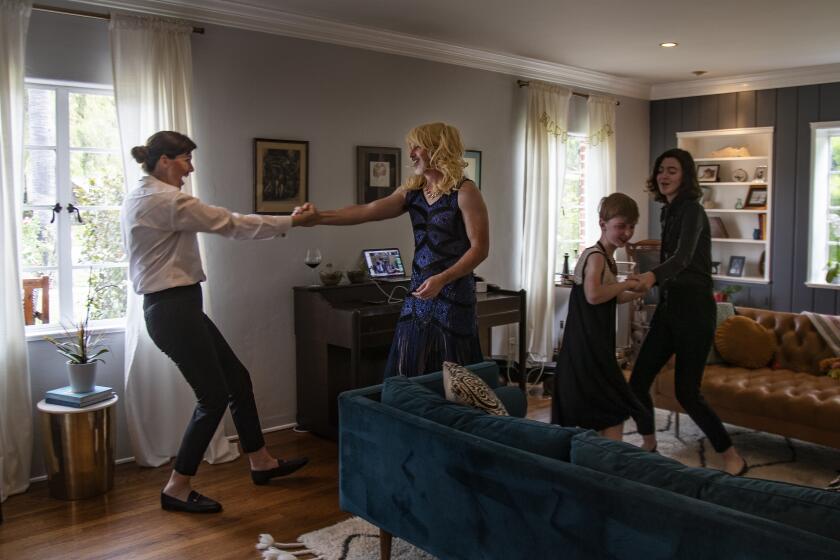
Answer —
545 164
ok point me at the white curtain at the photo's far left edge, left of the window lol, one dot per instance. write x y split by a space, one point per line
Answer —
15 399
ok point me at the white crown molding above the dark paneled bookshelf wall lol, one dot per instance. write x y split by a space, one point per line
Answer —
824 74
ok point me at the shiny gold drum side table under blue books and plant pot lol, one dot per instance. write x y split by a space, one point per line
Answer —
79 448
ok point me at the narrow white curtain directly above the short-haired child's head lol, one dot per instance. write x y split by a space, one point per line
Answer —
600 160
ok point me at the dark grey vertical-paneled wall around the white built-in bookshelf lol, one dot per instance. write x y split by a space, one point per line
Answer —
790 111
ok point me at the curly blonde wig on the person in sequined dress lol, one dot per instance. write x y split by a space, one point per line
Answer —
446 154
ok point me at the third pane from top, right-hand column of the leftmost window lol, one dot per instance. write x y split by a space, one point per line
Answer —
98 238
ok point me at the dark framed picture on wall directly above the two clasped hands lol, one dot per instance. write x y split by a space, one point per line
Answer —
281 175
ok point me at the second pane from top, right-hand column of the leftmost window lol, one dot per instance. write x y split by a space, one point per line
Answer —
97 179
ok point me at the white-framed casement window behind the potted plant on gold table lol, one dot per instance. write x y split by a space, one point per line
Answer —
73 189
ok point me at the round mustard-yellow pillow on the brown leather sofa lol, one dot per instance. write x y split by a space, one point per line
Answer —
742 342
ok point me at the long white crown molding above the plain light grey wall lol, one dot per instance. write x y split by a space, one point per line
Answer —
253 18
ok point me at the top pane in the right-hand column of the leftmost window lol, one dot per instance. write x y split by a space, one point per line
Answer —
93 121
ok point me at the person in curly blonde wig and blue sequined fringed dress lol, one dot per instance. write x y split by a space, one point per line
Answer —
451 238
